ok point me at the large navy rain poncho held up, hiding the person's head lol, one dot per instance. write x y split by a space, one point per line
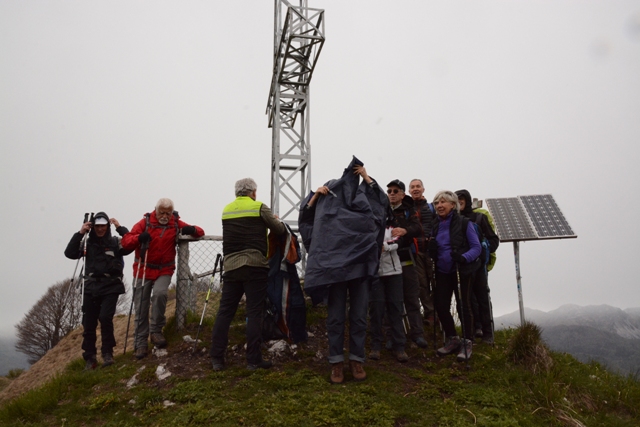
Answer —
343 232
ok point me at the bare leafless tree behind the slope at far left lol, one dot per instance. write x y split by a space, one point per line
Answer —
56 314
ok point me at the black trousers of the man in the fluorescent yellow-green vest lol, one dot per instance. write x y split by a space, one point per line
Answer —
251 281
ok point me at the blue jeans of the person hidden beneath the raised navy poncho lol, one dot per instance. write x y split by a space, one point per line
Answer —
358 290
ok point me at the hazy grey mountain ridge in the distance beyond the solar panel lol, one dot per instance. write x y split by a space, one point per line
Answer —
606 334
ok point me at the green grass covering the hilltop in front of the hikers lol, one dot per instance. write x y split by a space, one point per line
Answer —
502 388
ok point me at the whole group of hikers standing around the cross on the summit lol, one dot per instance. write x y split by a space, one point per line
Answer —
375 257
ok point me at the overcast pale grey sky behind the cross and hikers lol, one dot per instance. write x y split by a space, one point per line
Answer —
112 105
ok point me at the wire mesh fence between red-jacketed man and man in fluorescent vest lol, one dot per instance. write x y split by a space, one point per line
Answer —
195 272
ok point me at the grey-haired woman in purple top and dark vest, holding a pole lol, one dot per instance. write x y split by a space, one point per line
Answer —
455 248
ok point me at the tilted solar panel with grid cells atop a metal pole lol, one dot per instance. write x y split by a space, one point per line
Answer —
529 218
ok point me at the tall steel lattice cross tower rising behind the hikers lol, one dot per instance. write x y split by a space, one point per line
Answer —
298 40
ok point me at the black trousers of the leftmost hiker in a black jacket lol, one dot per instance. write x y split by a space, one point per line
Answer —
98 308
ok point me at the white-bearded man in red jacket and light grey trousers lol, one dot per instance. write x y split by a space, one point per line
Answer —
154 237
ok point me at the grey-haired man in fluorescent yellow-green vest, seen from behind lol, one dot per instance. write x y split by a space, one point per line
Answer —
245 222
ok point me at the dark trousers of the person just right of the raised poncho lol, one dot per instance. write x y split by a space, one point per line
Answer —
386 293
